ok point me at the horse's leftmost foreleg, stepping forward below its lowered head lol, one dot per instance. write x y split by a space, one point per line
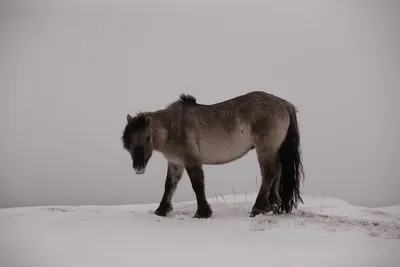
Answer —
174 175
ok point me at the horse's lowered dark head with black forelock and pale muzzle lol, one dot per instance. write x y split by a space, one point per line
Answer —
137 140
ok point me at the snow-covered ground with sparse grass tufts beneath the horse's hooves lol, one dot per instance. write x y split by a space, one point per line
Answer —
322 232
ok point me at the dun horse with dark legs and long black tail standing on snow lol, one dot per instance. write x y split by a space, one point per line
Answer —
190 135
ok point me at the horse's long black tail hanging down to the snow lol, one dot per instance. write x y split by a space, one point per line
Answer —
292 167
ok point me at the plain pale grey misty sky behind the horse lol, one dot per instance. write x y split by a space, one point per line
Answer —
70 72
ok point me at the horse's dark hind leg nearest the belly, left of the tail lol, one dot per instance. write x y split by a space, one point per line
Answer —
269 171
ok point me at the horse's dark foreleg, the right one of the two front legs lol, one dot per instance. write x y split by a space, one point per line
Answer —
196 176
